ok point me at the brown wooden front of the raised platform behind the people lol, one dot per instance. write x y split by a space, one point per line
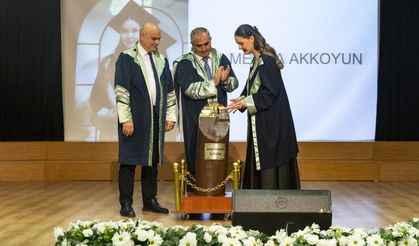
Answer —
380 161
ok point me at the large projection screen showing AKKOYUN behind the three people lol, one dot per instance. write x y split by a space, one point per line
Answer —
329 49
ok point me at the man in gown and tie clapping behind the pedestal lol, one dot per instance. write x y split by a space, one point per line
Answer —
201 76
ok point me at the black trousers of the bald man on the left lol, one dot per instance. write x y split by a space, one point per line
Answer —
148 174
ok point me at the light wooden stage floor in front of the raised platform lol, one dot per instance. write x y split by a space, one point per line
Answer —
29 211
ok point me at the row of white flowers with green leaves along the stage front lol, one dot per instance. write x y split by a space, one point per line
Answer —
140 232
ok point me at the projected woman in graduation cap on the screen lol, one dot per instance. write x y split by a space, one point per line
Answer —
102 98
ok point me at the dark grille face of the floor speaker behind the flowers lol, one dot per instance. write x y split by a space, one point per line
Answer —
317 201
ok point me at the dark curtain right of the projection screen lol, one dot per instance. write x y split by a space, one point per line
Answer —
398 73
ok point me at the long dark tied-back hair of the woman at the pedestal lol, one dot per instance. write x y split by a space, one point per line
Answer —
246 31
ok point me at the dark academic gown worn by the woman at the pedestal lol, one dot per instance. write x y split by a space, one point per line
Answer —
272 130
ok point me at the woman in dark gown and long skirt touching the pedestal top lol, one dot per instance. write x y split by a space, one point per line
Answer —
271 157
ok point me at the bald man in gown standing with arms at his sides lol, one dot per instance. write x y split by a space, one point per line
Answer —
146 104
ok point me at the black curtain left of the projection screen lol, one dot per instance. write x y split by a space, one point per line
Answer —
31 107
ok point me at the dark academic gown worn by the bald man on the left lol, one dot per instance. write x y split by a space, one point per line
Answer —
138 148
